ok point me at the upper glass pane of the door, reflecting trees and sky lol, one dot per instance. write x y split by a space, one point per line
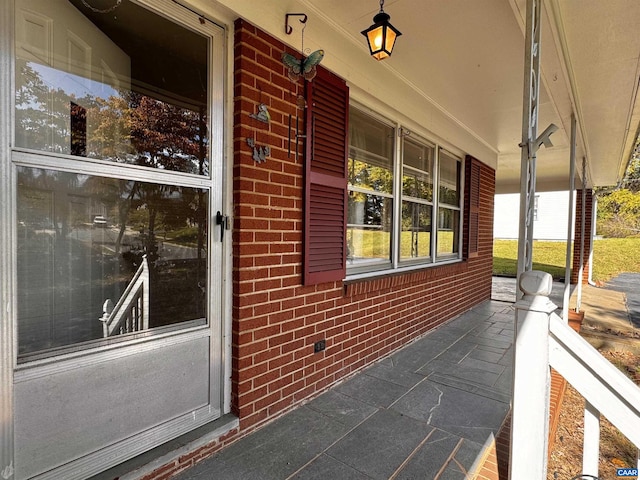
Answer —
128 87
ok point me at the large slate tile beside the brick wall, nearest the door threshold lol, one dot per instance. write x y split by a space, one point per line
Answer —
275 451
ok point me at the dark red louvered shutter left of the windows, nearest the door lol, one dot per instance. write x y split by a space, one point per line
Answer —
325 214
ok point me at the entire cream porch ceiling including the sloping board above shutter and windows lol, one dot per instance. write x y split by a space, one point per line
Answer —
457 71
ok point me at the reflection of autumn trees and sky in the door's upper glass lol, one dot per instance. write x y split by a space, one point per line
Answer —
125 127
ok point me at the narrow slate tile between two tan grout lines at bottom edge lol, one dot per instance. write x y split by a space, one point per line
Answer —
430 457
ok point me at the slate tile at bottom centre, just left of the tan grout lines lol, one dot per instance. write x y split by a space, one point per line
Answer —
381 444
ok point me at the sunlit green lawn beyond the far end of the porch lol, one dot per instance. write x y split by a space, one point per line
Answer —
611 256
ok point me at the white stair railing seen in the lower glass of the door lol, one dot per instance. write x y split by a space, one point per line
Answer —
131 313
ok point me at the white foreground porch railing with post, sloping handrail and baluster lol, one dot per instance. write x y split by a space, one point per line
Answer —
544 340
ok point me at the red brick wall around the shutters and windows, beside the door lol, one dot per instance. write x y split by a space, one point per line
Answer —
276 320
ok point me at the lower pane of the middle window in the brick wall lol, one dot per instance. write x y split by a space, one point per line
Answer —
415 235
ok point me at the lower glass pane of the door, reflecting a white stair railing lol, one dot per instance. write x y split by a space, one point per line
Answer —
83 238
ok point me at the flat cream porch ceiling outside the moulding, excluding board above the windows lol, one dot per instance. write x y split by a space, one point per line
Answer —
467 58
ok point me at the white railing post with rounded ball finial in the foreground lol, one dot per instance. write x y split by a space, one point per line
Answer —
531 378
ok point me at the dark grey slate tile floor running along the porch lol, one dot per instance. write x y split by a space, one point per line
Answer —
425 412
